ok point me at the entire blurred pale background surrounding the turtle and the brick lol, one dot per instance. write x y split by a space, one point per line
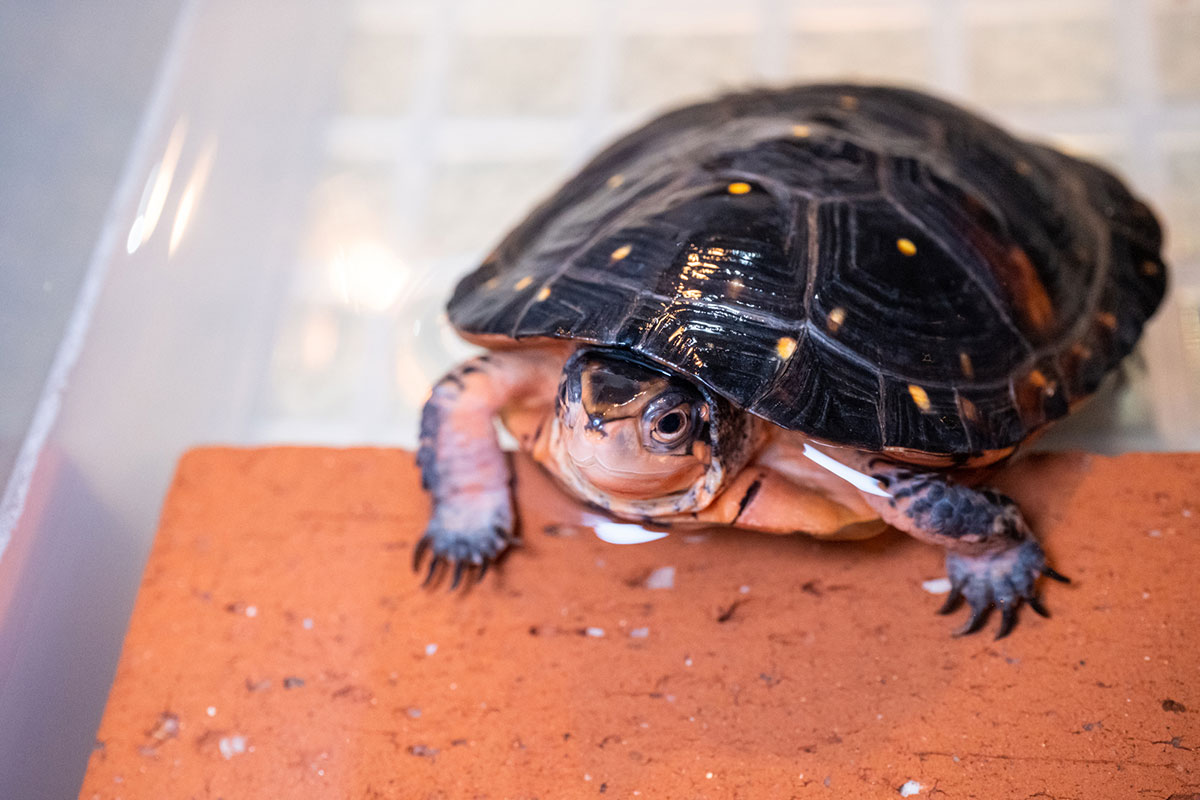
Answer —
230 222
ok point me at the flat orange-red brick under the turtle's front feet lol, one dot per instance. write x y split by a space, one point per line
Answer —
281 647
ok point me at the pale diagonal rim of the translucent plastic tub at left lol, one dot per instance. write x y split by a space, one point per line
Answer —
13 503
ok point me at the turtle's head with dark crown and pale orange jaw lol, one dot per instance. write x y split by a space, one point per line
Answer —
640 441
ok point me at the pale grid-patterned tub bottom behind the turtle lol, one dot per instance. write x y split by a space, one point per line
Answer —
454 118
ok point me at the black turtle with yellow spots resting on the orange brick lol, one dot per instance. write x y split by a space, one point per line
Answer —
823 309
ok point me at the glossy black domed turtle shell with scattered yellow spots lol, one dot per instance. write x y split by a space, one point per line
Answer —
872 267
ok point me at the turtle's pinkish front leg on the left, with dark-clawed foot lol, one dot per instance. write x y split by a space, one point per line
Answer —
463 465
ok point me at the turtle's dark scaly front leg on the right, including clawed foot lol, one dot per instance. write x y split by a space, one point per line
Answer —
992 556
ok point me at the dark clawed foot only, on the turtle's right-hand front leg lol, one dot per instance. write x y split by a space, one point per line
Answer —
1004 580
